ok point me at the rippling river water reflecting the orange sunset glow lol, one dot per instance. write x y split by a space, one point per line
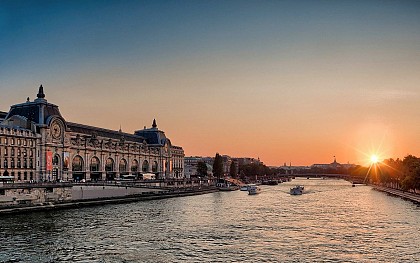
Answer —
331 222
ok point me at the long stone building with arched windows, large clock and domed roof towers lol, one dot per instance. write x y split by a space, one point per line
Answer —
38 144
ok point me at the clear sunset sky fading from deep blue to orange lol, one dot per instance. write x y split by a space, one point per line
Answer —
285 81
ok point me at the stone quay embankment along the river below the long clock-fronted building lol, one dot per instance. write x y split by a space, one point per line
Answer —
16 198
